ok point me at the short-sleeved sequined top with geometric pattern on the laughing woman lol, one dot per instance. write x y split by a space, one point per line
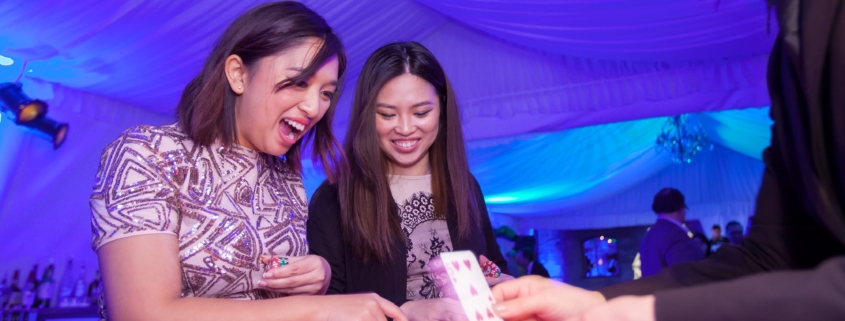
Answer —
226 207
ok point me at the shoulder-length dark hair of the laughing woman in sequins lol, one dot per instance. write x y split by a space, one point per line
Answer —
206 111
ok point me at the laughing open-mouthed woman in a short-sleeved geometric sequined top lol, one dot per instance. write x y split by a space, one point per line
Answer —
185 215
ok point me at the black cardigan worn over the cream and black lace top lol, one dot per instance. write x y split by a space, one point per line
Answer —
350 274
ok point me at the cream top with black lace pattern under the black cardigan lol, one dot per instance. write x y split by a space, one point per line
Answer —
426 235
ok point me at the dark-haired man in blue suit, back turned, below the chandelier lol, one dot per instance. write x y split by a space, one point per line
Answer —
668 241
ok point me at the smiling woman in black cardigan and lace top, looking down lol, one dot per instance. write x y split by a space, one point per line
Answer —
407 194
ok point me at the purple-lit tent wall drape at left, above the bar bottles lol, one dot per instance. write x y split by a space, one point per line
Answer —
44 193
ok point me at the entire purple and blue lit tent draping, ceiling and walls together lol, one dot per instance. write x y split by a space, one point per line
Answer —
561 101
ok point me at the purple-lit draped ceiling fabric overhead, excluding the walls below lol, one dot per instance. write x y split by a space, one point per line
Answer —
144 52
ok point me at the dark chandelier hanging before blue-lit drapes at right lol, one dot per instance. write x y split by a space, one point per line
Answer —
681 139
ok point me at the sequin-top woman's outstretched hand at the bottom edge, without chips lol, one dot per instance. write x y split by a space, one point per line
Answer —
358 307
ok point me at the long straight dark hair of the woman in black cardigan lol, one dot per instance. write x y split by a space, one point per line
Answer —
368 211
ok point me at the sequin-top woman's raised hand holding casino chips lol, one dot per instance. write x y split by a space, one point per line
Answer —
306 275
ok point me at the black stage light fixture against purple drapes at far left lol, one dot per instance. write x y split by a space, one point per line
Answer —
30 113
